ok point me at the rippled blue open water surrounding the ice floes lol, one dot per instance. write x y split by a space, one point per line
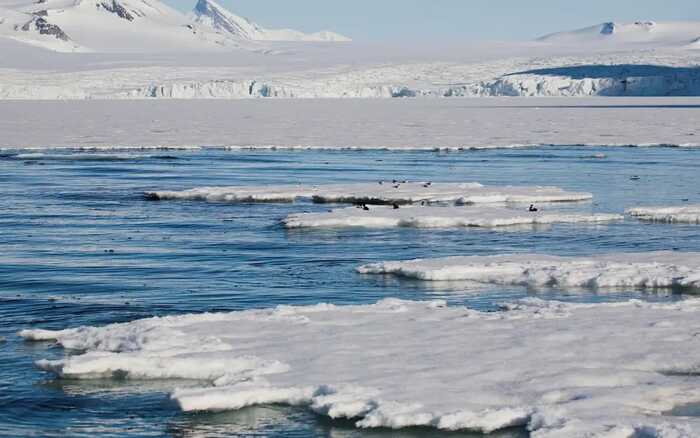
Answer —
79 245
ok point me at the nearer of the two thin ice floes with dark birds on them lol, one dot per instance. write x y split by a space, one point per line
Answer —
438 217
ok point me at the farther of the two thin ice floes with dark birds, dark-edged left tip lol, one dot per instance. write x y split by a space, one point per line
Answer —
385 192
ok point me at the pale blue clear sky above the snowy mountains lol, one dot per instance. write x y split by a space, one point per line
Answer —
435 20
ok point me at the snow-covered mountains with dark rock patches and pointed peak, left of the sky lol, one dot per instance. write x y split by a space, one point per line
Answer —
134 26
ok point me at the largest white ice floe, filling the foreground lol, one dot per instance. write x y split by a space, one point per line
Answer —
561 370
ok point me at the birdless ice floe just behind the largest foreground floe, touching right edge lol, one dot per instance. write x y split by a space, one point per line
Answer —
642 270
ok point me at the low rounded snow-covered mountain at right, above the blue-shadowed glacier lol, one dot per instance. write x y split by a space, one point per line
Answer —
649 32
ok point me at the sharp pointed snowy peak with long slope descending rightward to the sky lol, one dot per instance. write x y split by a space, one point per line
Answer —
211 14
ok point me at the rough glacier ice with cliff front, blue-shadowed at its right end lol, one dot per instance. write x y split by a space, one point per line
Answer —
653 73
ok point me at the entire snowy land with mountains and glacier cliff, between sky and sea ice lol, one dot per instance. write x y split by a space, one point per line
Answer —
221 55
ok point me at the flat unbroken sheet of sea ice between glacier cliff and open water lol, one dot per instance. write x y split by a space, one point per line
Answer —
427 124
